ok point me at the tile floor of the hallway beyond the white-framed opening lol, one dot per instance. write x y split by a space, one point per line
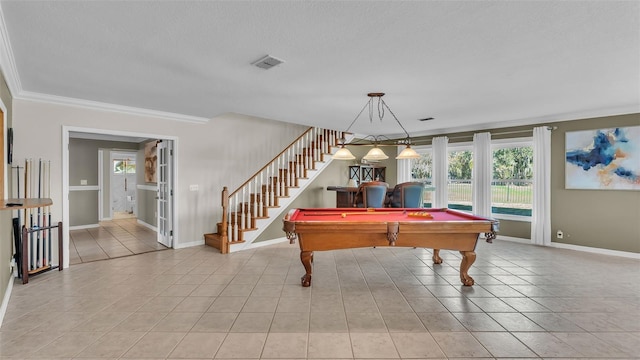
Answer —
113 239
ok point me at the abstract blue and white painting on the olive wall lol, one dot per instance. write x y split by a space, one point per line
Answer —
607 159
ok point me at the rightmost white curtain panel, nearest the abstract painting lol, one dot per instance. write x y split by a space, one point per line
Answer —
541 212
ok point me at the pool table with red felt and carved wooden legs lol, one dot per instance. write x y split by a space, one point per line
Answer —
346 228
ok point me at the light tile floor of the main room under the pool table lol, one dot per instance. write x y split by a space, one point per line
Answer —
371 303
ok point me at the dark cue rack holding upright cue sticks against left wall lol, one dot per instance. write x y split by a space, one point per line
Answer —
33 229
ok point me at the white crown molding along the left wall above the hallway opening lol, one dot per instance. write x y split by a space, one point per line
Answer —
95 105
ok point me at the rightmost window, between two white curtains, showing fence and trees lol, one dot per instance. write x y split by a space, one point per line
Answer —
512 184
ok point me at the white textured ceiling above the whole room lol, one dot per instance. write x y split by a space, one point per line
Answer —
470 65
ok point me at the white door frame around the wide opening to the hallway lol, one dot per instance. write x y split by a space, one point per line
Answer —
65 177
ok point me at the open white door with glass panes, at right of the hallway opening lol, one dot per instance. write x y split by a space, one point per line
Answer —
165 192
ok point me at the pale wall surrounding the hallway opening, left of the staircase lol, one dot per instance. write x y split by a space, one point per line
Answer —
223 152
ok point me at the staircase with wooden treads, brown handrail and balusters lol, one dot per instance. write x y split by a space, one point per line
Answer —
249 209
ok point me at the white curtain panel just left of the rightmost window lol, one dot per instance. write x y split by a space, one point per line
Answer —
482 174
